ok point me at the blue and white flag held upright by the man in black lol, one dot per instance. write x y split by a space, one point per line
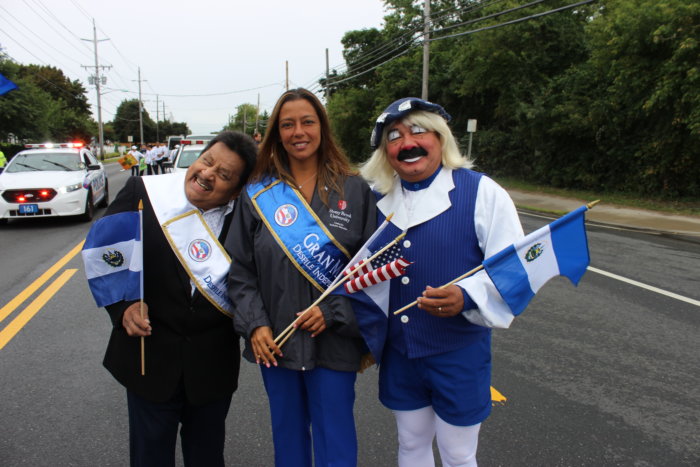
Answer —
113 258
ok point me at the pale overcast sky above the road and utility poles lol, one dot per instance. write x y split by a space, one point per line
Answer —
198 59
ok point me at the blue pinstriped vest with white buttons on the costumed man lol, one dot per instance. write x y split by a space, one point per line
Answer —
442 249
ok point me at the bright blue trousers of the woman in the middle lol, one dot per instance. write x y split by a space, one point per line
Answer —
322 399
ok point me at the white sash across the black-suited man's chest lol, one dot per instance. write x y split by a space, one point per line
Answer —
191 239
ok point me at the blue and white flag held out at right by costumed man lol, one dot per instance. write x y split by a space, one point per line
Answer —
557 249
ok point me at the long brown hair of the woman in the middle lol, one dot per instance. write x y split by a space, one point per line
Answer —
273 160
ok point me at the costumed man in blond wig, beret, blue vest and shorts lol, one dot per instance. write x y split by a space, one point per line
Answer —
436 365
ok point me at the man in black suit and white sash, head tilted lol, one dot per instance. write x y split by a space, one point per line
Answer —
191 351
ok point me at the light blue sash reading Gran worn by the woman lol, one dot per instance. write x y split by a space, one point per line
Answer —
299 232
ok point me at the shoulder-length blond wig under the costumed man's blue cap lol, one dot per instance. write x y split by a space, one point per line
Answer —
379 173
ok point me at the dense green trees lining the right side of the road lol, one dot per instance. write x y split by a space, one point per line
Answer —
605 96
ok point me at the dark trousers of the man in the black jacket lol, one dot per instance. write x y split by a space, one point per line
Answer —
153 430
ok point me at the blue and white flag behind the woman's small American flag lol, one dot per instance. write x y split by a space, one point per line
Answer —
371 304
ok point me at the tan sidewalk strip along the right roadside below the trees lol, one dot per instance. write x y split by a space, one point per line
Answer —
687 227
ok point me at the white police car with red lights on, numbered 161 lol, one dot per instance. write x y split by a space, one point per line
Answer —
47 180
